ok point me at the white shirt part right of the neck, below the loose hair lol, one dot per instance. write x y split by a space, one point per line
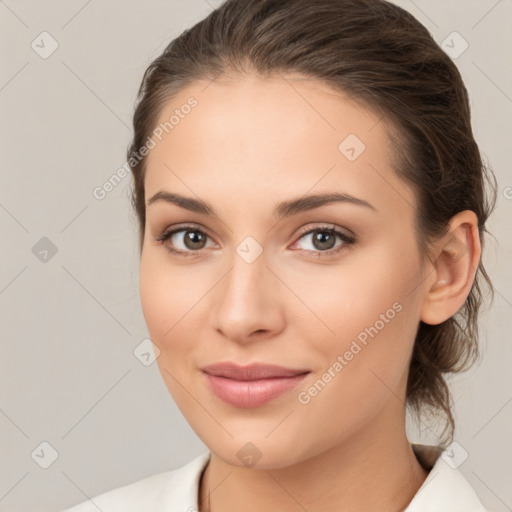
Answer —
445 488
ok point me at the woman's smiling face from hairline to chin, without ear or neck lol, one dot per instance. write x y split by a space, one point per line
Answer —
263 280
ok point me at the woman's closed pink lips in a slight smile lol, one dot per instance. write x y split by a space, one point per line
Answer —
252 385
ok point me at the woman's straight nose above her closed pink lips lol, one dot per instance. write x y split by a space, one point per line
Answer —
246 304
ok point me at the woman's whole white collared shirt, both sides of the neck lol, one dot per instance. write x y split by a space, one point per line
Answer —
444 490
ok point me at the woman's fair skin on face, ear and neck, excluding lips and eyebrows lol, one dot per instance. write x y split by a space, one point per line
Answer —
250 144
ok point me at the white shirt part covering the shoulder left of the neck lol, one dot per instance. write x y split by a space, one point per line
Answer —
156 492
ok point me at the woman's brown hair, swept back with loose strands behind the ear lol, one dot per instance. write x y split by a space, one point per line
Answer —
380 55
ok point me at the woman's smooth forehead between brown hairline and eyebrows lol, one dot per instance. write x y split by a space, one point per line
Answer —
257 138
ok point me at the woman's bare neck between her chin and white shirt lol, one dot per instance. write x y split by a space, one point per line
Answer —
375 469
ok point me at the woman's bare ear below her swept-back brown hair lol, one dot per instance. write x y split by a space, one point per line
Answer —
456 259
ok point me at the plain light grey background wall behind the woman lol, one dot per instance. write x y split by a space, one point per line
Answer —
70 323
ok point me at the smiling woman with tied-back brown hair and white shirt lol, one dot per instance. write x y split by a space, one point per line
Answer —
312 207
